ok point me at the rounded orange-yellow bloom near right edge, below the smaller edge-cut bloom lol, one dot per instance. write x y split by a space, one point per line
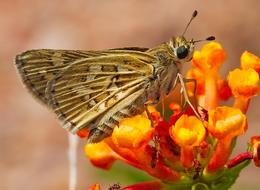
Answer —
243 83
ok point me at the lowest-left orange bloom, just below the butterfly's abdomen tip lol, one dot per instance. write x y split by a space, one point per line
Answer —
100 154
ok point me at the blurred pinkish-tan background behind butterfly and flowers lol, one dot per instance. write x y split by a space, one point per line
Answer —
33 146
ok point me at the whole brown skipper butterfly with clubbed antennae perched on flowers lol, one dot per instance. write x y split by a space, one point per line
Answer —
96 89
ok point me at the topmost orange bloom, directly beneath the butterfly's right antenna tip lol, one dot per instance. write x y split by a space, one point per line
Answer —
211 56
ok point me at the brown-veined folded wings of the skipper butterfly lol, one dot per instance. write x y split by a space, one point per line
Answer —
88 89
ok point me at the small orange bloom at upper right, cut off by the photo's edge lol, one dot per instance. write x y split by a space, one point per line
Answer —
249 60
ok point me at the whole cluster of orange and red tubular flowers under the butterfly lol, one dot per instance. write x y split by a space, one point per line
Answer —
189 152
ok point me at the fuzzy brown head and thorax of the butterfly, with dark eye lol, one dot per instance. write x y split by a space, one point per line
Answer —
170 57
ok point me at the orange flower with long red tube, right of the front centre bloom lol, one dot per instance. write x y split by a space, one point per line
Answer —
225 123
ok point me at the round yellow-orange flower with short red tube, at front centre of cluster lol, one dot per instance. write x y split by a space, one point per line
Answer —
187 132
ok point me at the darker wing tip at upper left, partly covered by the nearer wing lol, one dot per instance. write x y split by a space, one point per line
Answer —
37 67
